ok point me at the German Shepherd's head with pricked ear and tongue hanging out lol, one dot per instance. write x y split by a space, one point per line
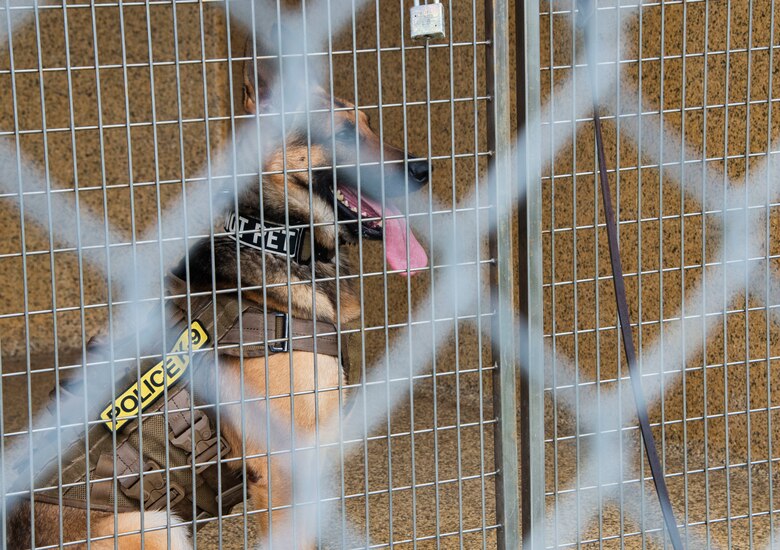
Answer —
337 167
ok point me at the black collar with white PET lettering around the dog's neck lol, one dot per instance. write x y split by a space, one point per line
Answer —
274 238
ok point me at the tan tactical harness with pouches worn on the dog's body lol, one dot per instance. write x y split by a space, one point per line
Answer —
181 451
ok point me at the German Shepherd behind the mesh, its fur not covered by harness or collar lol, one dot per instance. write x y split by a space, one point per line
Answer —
301 188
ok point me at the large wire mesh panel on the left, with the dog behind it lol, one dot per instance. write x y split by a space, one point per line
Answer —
160 364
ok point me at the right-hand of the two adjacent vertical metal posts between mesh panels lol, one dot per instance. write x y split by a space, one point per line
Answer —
530 276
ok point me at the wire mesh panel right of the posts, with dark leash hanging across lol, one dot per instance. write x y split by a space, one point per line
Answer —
689 96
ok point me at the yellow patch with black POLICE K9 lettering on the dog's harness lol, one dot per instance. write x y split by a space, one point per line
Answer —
154 381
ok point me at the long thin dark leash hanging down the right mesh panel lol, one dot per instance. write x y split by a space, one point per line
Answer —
586 21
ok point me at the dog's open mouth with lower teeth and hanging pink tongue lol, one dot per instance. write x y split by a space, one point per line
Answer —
402 250
